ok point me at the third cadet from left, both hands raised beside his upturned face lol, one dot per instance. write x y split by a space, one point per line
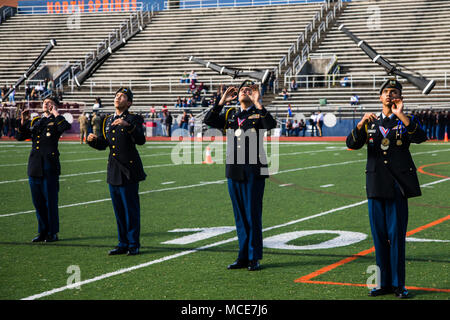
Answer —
246 166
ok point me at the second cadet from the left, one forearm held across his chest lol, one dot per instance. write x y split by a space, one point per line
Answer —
121 132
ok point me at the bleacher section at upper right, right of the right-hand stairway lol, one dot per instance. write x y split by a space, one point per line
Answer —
413 33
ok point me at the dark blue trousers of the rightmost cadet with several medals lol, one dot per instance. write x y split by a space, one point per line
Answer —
388 222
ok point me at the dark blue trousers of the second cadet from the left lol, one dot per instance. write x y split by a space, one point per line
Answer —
126 206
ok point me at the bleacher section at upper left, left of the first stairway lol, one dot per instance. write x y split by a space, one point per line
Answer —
24 37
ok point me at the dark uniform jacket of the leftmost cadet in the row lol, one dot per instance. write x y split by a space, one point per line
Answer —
45 133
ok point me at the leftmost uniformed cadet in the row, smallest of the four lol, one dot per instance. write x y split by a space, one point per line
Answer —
43 165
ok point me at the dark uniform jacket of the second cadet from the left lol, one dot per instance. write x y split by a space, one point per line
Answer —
124 164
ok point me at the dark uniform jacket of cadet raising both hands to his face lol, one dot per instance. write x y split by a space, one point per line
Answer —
252 159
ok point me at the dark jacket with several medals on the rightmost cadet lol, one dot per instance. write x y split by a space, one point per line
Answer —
394 164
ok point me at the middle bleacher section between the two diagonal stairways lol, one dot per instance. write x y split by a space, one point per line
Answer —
241 37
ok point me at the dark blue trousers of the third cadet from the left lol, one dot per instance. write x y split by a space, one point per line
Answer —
247 200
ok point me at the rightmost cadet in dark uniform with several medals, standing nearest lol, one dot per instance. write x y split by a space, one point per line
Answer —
390 180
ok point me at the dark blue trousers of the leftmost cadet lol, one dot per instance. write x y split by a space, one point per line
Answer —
44 193
